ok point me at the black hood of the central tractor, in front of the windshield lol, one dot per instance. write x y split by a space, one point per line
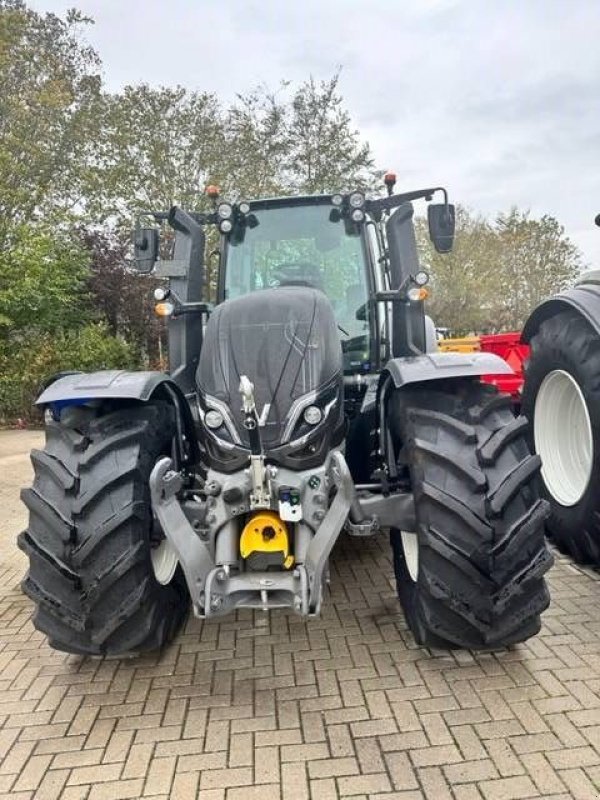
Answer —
285 340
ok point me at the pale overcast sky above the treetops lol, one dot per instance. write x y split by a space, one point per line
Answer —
499 101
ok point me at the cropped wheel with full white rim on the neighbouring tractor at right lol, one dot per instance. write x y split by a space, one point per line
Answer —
561 399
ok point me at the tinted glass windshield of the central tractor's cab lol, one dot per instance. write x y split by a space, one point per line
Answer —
300 245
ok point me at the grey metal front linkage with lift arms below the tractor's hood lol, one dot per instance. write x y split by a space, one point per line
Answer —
204 532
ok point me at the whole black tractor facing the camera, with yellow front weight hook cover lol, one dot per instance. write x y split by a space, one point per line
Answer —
309 399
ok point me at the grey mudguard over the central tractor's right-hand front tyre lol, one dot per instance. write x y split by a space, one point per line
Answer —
439 366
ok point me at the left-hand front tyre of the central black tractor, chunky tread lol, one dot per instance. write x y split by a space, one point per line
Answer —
89 538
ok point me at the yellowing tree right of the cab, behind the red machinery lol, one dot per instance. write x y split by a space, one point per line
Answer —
498 272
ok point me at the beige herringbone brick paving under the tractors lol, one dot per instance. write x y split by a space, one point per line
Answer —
342 706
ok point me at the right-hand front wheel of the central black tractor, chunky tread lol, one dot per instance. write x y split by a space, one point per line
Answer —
472 574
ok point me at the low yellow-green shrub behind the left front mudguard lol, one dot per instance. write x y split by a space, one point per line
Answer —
33 357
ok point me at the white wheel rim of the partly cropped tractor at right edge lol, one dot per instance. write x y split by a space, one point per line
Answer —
563 437
